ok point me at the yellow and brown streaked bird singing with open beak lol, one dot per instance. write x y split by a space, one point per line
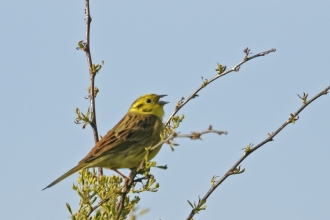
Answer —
124 145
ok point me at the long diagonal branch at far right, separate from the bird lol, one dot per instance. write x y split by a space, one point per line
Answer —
235 169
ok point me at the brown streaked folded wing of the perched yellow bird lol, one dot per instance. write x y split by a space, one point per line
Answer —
130 130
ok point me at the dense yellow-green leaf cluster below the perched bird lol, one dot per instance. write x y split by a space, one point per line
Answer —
99 196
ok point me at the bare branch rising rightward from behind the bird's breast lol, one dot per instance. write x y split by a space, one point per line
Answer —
221 72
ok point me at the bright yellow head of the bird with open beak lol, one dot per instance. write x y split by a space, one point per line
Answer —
149 104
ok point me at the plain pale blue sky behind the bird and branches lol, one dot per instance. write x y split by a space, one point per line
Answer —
165 48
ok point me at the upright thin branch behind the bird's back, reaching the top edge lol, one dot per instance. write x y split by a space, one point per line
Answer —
91 77
